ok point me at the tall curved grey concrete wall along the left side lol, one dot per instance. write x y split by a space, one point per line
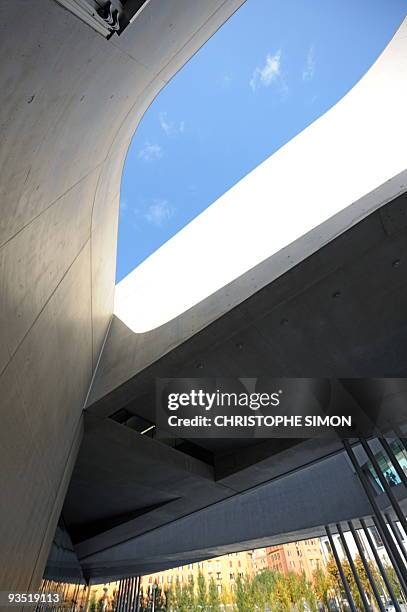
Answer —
70 102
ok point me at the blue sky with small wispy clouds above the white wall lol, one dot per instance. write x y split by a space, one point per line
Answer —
270 71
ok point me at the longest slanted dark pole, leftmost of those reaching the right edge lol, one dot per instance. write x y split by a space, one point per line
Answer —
379 521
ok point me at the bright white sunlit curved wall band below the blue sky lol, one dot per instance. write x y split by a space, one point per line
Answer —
348 152
